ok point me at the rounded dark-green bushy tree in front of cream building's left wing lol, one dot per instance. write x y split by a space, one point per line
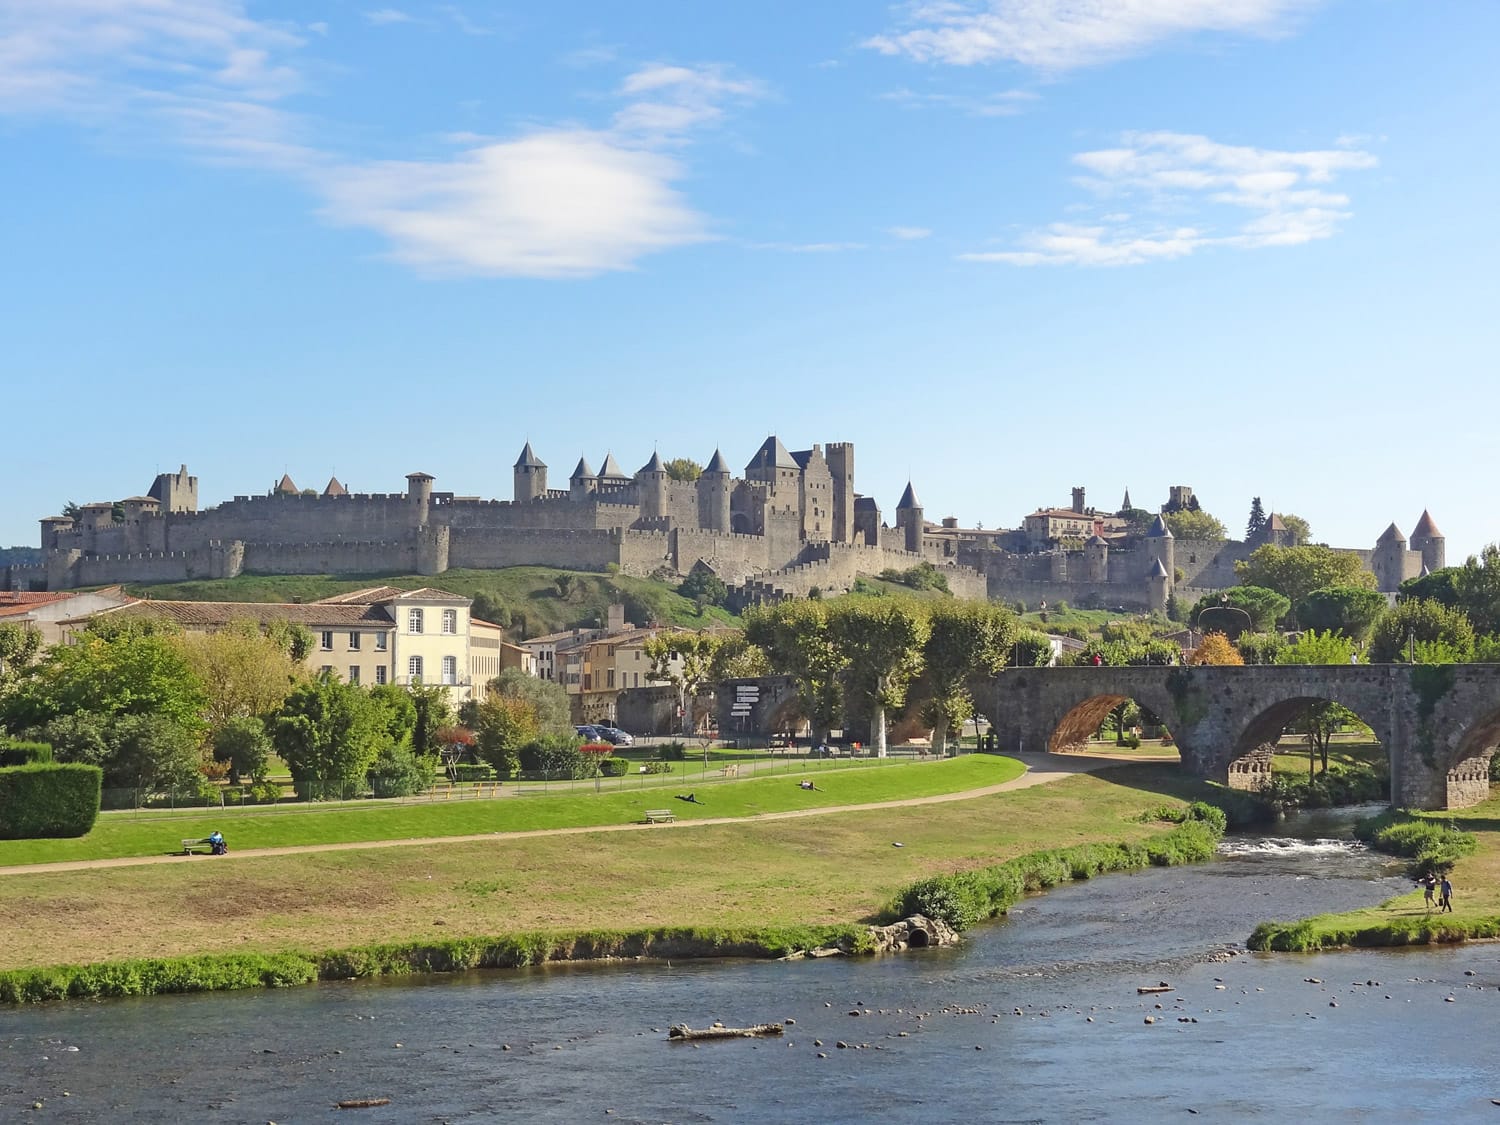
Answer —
331 734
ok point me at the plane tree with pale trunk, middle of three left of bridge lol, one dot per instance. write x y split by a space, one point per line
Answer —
883 644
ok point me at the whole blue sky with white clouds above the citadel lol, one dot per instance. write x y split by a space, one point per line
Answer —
1004 247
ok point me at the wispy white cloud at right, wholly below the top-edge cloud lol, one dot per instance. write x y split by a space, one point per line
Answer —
1195 194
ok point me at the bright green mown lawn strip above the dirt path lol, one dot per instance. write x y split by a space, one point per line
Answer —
356 823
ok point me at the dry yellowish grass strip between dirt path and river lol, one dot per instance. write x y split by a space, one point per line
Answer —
751 878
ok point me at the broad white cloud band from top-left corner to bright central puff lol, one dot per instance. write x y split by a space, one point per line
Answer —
202 76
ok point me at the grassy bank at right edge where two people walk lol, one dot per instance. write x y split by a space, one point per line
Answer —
1406 920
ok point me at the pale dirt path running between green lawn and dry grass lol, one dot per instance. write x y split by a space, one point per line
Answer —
1040 770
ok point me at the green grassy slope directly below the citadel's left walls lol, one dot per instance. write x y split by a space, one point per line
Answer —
529 601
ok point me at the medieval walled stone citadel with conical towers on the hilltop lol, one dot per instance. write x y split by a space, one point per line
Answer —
793 524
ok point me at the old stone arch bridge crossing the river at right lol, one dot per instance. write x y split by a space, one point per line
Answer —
1439 724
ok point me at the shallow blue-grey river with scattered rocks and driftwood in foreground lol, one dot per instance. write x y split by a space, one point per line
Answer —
1033 1019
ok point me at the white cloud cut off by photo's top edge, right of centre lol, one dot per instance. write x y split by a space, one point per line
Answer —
1060 35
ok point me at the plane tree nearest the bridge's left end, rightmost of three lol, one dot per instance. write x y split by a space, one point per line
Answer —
967 643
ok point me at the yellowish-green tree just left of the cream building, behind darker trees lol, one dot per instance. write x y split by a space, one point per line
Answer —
244 673
